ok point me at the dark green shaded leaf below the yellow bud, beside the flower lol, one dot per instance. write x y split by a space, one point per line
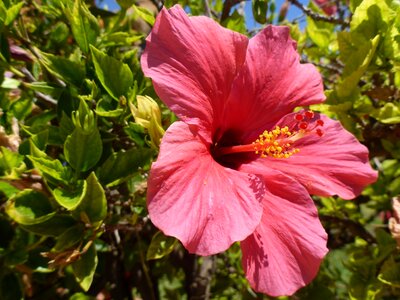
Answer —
121 165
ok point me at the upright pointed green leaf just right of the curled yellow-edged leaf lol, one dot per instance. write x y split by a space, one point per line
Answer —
94 203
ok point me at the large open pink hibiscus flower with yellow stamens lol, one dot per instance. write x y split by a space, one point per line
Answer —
240 165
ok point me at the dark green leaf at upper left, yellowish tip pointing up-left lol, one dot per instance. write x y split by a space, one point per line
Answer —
63 68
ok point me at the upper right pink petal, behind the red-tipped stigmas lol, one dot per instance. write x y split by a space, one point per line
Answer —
272 82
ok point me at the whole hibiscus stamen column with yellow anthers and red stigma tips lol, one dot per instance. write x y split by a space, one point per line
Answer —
278 142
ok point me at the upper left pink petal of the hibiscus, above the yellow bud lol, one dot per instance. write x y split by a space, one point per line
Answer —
193 62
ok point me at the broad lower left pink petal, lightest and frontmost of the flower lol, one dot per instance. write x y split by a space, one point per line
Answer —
195 199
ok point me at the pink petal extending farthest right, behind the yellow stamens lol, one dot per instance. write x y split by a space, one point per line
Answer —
334 164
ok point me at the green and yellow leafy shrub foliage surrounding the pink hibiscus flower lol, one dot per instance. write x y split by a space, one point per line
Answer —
76 148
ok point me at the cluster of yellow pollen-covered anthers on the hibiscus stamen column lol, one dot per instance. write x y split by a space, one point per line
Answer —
276 143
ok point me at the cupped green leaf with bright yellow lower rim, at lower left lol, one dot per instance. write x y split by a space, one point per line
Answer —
68 197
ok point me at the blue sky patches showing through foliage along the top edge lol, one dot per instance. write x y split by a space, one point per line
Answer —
293 12
